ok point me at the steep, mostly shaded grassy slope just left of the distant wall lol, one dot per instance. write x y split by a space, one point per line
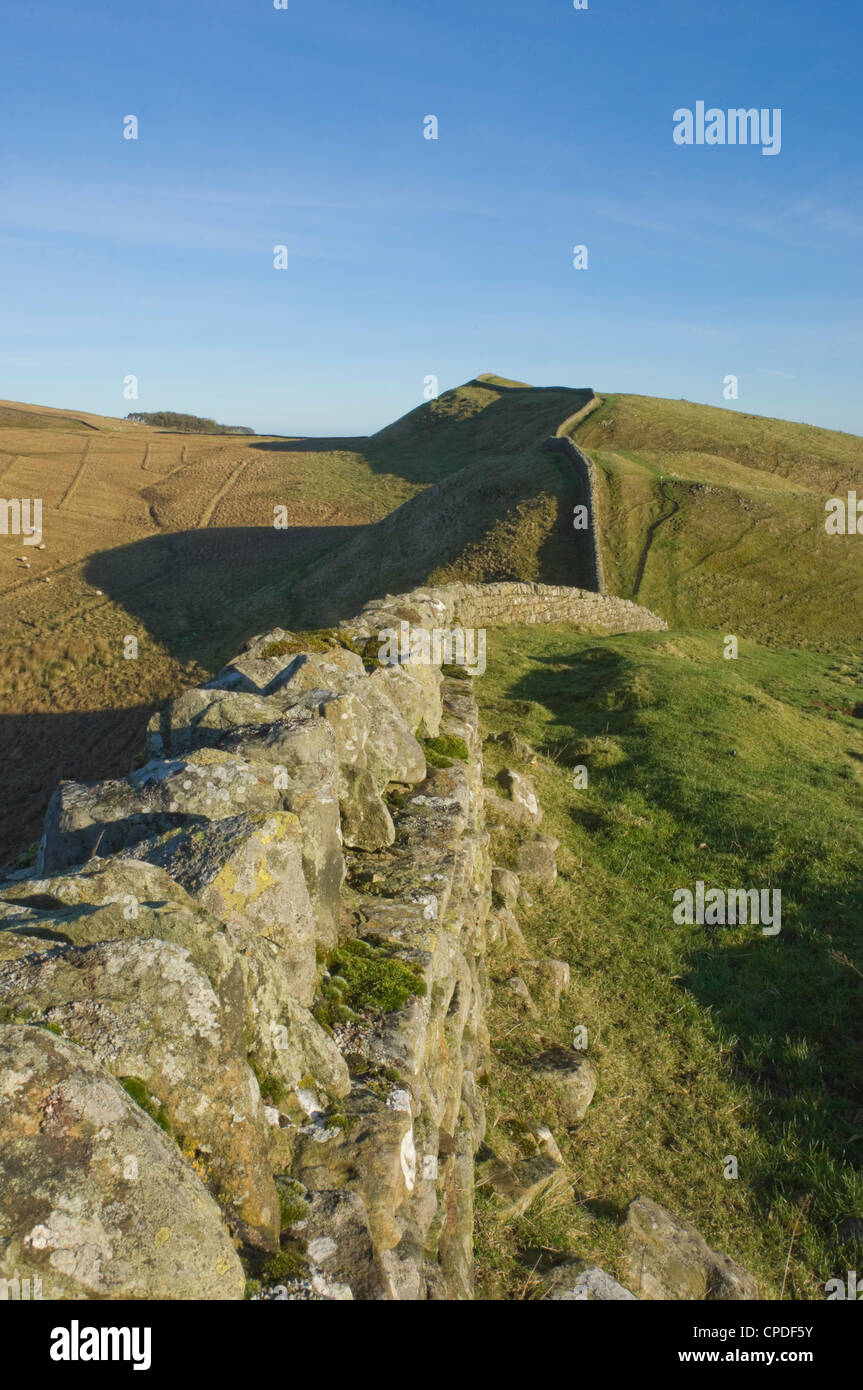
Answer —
497 507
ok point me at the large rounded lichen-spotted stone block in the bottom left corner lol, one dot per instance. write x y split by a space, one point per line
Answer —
95 1200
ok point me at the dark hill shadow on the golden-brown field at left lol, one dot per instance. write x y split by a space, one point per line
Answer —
201 594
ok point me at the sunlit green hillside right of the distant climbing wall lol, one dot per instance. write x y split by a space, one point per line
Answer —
716 518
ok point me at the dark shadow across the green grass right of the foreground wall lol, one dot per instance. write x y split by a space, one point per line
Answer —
787 1008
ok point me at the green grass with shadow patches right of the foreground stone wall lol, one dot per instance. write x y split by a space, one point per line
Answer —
709 1042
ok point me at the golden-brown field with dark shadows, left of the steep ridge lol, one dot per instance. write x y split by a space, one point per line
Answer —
148 534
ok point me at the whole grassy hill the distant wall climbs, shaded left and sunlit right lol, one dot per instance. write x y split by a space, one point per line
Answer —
708 516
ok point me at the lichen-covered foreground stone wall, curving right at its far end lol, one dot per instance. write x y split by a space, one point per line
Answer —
243 995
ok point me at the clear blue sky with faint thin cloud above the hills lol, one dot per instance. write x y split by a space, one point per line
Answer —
411 258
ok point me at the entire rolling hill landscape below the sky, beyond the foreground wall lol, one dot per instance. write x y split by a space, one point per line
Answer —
711 518
